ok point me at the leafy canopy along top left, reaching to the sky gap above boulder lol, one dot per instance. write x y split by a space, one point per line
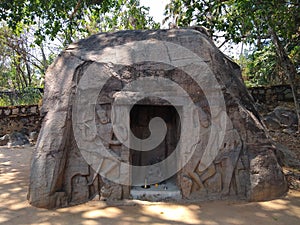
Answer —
72 19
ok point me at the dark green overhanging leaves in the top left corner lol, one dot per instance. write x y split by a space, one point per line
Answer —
51 16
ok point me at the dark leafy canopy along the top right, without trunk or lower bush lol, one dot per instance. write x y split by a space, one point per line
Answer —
238 21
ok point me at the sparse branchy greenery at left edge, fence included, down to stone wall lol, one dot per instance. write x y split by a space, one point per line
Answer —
20 69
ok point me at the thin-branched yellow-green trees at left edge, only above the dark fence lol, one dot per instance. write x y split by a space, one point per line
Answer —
20 65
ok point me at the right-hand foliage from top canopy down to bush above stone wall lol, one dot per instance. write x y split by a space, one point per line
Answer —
253 22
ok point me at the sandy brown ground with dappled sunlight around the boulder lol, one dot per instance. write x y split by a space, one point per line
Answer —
14 208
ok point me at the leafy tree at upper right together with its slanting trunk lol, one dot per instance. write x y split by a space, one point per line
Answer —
248 21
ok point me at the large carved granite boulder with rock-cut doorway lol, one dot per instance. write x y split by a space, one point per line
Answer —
215 145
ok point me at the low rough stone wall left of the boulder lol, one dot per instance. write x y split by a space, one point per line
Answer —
19 118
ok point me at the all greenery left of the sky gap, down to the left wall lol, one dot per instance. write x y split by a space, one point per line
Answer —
29 30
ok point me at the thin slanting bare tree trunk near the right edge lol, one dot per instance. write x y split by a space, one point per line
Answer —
289 69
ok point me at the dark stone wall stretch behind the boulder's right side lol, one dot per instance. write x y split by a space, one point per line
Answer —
273 93
